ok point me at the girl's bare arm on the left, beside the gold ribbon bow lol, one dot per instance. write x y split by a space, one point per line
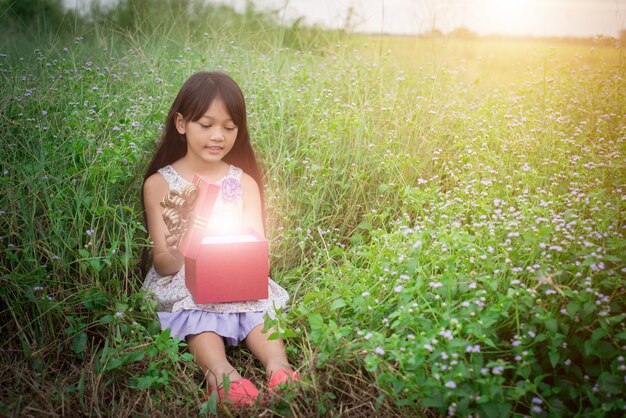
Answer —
166 258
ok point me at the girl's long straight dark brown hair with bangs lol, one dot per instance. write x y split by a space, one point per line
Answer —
192 101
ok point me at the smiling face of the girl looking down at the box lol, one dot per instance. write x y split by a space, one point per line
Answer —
212 136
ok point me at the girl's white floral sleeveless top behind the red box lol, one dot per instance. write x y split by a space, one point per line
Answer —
171 292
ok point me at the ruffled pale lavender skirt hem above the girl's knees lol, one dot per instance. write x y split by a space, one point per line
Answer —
233 327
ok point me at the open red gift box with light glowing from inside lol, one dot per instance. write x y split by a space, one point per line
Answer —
222 266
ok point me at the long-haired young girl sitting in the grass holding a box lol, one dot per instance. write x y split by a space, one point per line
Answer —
206 134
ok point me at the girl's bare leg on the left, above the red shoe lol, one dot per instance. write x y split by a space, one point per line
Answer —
210 354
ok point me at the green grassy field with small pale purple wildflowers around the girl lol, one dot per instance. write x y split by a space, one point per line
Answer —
447 216
